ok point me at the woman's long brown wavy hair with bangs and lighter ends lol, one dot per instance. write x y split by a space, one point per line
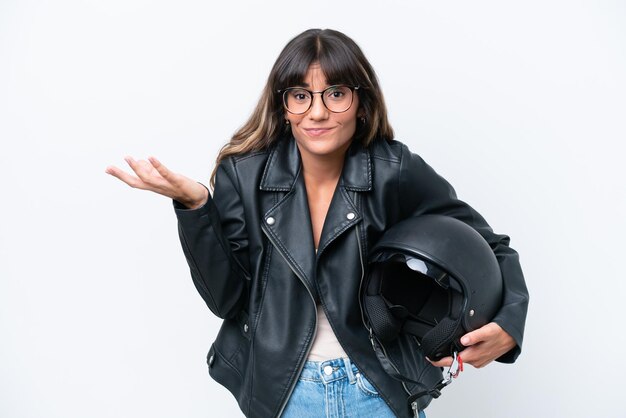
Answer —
341 61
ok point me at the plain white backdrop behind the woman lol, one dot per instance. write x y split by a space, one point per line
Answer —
520 105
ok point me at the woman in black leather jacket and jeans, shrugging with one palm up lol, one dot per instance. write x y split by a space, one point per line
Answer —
301 192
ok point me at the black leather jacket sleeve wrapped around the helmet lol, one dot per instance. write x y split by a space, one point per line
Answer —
423 191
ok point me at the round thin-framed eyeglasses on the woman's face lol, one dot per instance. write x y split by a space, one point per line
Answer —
337 99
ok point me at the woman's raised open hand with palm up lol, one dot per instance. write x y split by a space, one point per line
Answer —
155 177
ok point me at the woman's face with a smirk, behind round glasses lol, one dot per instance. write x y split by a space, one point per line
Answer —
319 132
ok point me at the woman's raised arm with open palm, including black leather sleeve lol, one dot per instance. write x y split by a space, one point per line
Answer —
215 246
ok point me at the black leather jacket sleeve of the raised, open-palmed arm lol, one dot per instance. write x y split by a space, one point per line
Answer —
215 244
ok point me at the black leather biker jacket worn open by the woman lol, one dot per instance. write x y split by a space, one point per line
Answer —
252 258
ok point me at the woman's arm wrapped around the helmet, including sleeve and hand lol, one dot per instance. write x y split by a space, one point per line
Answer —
423 191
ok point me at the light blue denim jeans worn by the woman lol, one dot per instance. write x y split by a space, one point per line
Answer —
335 389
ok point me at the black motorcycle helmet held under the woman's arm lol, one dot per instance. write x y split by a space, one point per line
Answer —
433 277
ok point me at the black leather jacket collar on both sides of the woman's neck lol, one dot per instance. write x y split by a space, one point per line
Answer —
283 167
